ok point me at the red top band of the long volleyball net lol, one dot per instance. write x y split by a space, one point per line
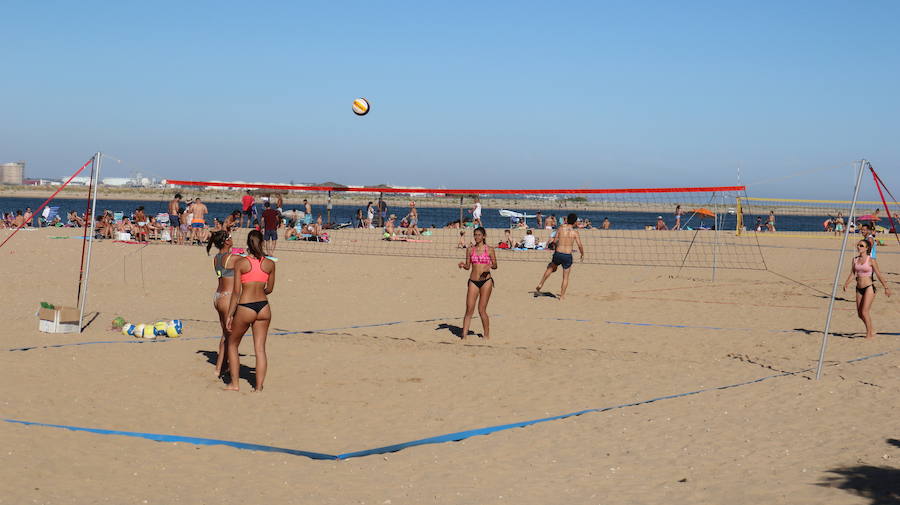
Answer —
285 187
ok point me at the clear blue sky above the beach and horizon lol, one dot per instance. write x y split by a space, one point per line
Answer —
518 95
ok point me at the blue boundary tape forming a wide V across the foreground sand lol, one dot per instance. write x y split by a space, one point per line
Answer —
451 437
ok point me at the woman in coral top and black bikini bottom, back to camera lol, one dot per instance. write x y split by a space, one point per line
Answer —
254 278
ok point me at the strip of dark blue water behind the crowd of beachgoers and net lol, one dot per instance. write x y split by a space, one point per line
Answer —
429 216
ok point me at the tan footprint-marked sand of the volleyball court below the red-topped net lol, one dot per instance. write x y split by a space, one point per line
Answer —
352 388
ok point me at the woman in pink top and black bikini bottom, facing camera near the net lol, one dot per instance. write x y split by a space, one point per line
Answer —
481 260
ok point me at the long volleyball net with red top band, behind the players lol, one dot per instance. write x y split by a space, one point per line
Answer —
674 227
